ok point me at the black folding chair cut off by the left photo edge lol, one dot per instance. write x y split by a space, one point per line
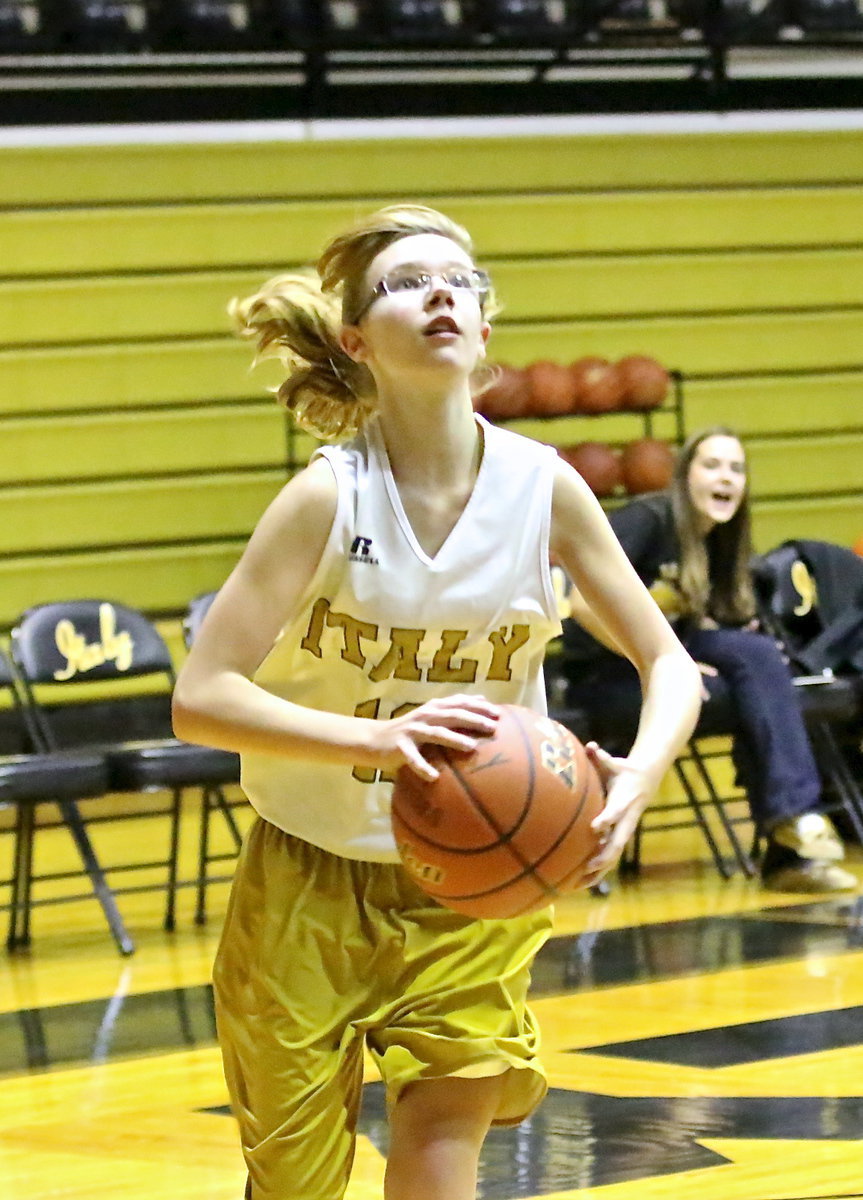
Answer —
34 782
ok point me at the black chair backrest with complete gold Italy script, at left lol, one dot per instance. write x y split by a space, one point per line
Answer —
94 671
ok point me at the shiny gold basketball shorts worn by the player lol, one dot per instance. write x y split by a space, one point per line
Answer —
322 957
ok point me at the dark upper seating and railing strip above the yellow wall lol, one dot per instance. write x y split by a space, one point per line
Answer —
166 61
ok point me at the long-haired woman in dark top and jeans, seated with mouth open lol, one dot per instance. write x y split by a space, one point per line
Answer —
692 547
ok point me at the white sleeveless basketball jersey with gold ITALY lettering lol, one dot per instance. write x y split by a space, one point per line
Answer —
385 628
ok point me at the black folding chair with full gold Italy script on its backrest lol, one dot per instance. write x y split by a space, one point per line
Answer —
99 677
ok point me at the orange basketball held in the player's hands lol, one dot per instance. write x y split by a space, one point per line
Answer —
505 830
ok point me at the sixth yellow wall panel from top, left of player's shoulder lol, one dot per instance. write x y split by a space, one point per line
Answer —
89 515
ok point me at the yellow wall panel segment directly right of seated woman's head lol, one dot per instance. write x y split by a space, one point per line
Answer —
807 466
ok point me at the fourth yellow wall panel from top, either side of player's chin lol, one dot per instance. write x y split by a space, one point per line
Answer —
135 375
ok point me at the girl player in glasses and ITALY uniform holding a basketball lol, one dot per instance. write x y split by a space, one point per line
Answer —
392 597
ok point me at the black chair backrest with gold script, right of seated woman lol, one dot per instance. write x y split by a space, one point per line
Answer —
811 596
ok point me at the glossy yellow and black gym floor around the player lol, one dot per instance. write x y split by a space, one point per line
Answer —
704 1040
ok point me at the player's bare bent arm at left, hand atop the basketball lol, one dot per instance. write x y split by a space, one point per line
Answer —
218 704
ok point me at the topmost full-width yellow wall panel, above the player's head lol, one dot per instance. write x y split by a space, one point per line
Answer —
400 167
